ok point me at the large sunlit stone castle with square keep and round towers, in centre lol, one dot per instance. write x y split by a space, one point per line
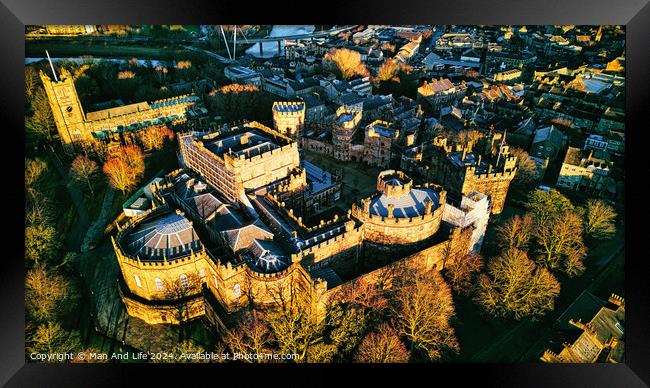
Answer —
226 232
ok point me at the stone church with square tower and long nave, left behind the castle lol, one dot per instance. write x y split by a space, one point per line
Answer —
77 128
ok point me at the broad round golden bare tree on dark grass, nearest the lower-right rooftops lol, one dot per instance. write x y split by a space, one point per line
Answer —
515 286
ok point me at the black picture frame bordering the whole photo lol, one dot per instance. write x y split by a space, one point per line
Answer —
634 14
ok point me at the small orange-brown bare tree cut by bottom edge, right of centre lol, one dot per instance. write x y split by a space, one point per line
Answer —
382 346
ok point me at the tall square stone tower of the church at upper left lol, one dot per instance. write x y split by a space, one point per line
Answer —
66 108
